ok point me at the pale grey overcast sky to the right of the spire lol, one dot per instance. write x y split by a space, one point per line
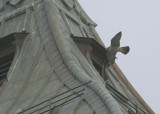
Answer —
139 21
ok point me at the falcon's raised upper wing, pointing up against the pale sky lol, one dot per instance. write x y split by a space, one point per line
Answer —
116 40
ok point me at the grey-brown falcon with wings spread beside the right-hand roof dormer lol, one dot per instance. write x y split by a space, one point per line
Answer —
115 47
